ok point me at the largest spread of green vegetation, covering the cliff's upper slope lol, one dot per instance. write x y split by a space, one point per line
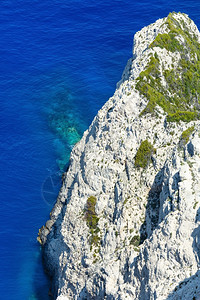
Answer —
180 97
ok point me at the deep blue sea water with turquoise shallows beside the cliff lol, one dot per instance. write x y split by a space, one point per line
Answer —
60 61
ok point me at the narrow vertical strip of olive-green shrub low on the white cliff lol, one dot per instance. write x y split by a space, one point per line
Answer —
92 220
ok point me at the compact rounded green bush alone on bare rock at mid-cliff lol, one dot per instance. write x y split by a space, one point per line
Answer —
144 154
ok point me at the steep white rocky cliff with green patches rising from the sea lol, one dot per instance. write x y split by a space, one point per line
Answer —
126 224
